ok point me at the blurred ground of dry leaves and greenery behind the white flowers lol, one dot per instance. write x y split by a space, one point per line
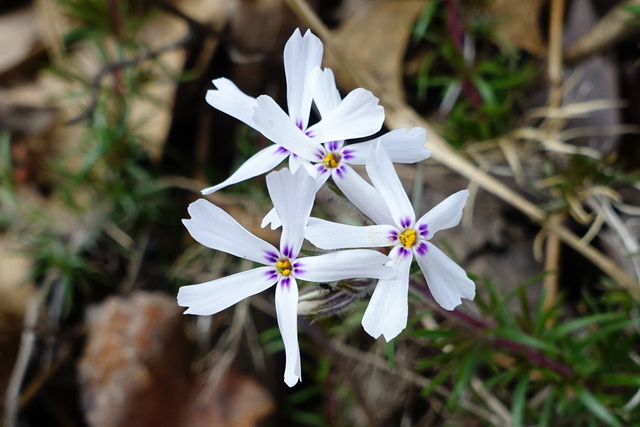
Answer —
105 138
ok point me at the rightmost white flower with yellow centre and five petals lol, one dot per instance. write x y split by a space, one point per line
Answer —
387 311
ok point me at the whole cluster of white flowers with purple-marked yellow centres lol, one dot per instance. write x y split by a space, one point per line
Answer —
315 153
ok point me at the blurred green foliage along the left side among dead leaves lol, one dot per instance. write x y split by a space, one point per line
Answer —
103 195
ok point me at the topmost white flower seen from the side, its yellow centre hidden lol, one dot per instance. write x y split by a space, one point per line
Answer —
358 115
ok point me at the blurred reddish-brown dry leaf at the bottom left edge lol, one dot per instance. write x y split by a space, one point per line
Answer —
135 371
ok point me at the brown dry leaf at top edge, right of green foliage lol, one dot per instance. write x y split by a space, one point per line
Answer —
518 23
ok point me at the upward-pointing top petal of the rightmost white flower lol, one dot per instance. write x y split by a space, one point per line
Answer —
386 181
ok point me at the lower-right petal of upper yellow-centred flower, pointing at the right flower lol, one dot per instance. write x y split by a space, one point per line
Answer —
363 195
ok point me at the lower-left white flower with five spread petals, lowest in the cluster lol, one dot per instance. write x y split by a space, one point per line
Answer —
292 196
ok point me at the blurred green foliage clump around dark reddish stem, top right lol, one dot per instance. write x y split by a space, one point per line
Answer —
484 87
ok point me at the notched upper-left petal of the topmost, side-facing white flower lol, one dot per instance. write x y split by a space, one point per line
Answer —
231 100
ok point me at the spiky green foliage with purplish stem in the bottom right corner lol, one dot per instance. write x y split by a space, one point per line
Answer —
582 364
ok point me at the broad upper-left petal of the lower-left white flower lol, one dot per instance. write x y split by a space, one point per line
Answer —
214 228
